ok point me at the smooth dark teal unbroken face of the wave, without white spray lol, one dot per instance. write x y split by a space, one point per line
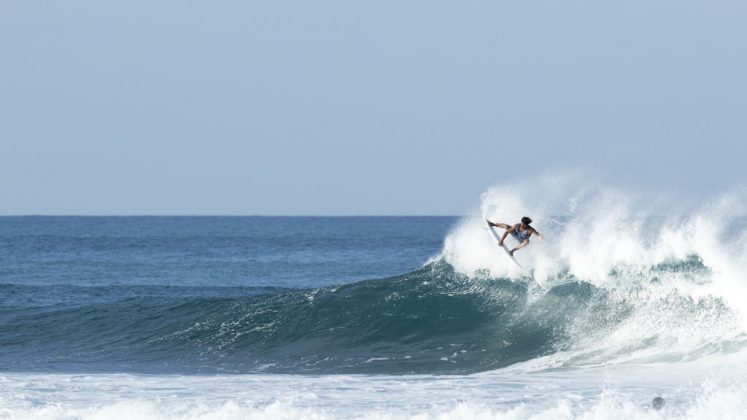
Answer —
432 320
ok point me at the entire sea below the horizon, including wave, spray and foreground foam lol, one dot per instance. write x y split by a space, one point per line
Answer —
625 300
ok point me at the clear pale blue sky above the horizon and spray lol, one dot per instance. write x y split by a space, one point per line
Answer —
360 107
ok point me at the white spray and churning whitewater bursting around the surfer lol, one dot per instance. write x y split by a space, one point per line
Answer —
614 238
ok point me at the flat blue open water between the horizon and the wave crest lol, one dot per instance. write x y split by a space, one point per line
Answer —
288 252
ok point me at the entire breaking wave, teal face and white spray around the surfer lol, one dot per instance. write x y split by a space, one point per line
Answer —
621 277
